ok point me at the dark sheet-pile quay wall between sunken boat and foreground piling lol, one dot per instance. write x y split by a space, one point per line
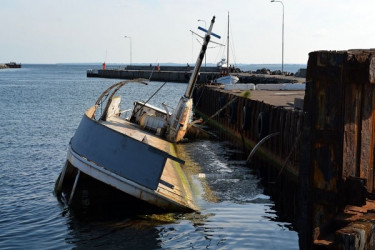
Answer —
245 122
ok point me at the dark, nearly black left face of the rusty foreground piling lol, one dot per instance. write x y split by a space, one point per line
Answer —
324 100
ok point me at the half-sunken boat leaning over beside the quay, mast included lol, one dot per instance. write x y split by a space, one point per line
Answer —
131 156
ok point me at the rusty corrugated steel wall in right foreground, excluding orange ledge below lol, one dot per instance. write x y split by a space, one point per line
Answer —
340 102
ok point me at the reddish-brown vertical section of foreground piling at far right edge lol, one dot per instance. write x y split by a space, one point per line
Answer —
359 124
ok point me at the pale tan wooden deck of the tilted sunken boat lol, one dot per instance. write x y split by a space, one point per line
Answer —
172 183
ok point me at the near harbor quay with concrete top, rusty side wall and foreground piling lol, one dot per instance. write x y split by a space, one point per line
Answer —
314 147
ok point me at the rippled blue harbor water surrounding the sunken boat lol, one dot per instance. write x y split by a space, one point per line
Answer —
42 105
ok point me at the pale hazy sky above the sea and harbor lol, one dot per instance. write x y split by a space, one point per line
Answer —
89 31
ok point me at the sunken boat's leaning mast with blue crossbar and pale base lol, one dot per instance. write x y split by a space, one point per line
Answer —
178 122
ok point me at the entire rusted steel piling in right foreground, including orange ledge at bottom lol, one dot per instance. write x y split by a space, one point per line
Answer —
339 162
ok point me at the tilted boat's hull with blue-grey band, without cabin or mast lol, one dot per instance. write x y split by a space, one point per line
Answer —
105 152
